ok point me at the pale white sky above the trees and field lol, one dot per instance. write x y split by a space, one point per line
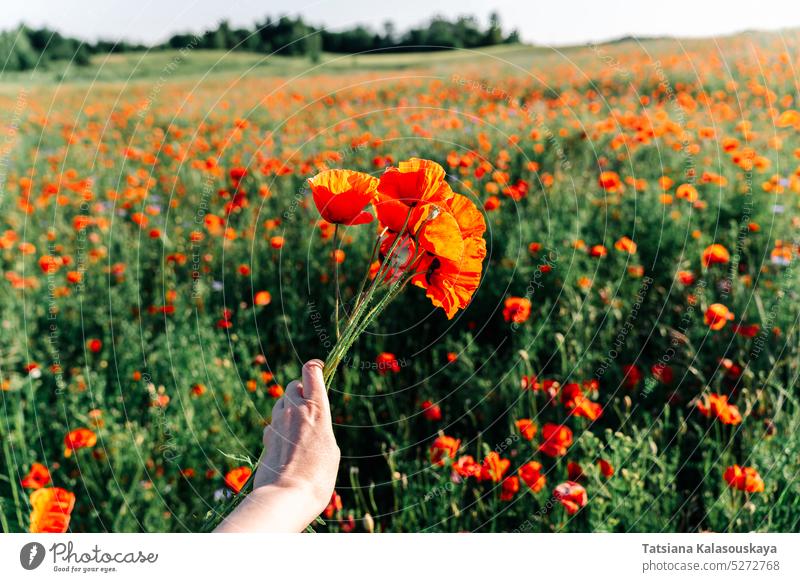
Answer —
540 22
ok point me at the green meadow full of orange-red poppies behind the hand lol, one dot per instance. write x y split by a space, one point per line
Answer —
588 259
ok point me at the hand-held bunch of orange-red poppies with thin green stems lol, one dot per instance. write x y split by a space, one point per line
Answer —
428 236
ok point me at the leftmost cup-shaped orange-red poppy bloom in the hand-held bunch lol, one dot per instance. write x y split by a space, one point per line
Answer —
342 195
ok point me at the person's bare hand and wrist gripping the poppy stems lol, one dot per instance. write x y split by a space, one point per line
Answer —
297 473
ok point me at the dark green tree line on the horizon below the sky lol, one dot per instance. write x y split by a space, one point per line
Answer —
26 48
